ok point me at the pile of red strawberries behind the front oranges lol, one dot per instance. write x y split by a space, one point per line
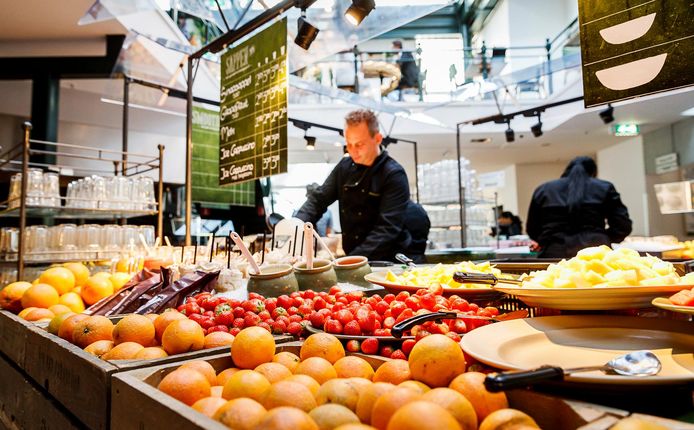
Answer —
338 313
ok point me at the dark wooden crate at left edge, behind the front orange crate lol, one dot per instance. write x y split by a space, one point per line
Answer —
79 381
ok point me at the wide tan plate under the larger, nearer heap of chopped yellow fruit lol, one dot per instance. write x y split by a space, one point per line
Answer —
596 298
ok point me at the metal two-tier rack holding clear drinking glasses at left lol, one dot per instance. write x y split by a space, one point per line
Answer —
17 160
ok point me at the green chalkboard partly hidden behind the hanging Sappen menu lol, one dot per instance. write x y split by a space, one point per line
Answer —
205 168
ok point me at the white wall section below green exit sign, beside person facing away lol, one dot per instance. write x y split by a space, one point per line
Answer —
623 165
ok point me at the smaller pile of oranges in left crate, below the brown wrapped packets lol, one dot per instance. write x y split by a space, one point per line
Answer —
136 337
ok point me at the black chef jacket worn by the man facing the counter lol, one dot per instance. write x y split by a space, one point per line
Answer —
373 202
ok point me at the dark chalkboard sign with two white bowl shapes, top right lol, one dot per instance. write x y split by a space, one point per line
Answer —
631 48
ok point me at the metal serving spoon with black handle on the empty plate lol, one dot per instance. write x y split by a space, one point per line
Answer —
637 363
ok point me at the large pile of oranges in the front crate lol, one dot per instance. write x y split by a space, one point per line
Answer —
322 388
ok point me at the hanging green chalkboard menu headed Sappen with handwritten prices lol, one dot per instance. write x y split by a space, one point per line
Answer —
253 111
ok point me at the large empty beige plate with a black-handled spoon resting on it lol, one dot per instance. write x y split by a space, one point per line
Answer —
586 340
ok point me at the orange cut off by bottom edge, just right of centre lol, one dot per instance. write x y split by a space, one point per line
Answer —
420 414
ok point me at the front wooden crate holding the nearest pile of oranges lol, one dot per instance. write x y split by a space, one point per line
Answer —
138 403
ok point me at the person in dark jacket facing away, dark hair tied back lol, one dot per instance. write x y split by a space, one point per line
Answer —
570 213
